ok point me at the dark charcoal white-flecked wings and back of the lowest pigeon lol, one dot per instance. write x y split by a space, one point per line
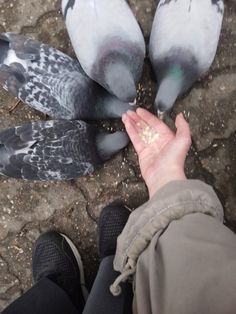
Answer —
45 151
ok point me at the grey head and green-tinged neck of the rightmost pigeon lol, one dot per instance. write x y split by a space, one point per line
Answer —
170 88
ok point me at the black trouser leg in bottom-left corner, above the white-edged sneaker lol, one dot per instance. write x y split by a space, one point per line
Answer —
45 297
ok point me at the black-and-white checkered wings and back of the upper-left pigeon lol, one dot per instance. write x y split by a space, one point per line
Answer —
41 76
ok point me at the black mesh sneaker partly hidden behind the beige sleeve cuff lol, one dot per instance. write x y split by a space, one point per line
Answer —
111 223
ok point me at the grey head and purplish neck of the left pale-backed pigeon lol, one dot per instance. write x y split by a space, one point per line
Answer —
118 67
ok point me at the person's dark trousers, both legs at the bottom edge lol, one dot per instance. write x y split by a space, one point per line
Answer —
45 297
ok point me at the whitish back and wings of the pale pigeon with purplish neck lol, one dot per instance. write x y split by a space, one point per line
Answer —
103 21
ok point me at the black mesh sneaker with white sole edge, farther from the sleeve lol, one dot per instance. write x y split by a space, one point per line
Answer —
56 257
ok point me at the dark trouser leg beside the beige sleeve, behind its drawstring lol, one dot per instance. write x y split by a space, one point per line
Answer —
100 300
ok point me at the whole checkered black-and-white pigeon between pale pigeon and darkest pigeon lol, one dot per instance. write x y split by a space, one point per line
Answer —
52 82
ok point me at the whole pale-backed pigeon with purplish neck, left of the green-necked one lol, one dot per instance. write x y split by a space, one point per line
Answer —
108 43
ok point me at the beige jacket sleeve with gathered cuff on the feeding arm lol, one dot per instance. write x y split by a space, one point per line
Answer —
182 257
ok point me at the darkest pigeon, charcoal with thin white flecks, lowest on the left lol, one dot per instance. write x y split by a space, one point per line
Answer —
56 150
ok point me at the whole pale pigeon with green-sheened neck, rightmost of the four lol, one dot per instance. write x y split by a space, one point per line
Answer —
183 44
